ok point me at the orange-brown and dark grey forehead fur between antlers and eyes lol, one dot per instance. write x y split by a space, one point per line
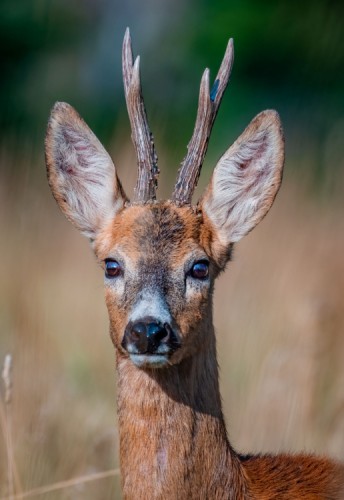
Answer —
163 225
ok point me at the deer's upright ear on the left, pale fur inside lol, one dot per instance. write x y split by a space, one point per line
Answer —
81 174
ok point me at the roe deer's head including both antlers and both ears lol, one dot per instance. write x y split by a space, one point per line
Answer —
160 258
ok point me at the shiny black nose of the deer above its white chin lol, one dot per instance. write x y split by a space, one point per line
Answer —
146 336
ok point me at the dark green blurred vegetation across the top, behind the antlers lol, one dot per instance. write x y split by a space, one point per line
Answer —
289 56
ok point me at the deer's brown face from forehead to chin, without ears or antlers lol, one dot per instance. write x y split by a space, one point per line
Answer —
159 275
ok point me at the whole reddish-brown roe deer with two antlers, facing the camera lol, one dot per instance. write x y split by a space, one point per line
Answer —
160 260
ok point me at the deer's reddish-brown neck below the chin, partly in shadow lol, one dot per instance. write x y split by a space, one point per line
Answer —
173 440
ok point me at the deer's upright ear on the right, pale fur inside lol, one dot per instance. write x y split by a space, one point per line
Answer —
246 180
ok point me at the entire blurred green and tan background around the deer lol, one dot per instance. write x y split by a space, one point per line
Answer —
279 308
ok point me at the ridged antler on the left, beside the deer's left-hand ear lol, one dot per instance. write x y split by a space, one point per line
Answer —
141 135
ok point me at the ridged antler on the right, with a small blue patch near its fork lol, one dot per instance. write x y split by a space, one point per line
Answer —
208 105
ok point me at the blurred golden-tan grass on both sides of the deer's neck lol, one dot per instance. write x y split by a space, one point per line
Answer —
278 312
